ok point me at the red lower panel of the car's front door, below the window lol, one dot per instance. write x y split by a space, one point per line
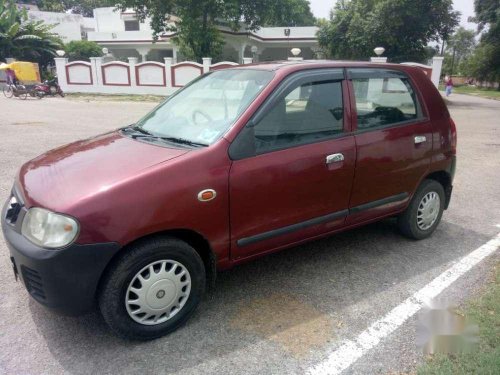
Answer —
285 196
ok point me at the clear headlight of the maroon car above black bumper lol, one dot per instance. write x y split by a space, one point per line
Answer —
48 229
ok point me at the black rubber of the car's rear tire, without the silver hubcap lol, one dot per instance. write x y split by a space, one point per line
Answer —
407 221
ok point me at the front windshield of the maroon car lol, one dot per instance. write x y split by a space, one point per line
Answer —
205 109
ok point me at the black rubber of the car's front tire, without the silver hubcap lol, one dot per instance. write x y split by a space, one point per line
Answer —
113 288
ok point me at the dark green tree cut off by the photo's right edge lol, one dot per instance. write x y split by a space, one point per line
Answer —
485 63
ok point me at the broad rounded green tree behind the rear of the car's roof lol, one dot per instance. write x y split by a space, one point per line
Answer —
402 27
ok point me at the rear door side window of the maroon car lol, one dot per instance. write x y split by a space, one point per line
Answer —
383 98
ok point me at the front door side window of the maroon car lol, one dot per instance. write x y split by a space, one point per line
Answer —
308 113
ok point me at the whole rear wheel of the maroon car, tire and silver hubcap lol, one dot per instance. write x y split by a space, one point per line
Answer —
418 228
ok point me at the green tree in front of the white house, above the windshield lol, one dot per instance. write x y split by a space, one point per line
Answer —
196 22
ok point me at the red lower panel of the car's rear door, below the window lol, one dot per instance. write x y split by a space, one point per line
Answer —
389 164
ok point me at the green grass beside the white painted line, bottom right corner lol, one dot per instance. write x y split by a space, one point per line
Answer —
485 311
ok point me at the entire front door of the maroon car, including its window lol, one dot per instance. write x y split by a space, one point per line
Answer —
293 166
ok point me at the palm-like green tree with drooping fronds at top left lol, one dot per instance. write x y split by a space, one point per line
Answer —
23 39
